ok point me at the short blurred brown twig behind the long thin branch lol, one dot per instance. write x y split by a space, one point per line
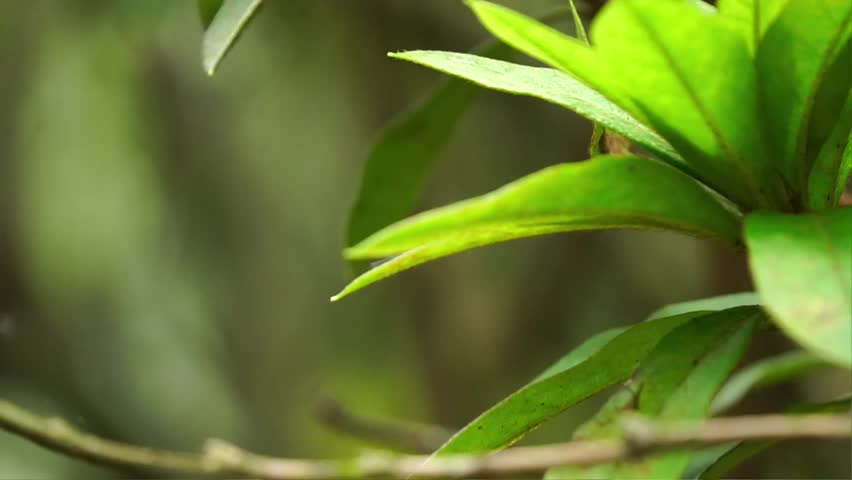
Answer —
404 437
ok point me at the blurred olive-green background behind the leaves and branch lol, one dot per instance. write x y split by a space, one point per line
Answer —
169 241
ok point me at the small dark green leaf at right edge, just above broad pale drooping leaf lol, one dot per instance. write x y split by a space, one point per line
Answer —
833 163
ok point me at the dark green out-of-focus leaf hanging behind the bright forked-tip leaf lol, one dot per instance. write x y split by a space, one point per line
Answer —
405 152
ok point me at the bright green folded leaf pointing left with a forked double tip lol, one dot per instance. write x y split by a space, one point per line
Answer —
605 192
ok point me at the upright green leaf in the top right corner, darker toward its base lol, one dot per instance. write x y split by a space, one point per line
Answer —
794 56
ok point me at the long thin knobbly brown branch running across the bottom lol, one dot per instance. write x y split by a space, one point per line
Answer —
641 437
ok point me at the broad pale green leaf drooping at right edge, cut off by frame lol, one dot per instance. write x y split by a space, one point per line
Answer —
802 266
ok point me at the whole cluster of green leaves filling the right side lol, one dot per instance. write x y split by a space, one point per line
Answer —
740 120
